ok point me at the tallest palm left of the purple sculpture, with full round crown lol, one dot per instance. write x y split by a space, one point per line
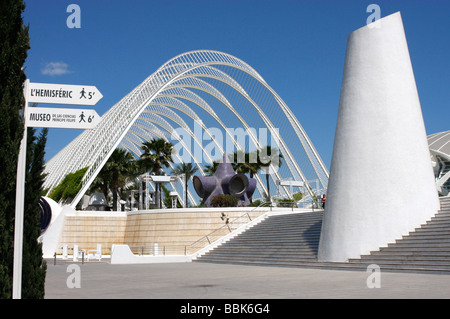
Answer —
157 154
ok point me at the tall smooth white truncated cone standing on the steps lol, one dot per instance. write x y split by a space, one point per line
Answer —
381 182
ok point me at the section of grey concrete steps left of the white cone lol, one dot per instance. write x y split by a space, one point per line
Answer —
280 240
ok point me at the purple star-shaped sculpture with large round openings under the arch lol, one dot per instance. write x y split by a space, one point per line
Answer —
225 181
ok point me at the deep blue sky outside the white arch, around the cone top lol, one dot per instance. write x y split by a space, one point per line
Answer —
297 46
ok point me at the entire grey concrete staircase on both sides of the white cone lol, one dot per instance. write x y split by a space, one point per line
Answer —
292 240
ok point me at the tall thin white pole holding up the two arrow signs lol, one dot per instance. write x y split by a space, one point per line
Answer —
20 199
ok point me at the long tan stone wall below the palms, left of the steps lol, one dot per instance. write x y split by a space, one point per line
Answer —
171 229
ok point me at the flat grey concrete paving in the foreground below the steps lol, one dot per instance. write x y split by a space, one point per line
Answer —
218 281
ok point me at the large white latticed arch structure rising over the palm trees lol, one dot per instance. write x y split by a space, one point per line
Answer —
198 90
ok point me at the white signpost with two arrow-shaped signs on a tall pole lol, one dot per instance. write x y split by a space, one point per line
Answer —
52 118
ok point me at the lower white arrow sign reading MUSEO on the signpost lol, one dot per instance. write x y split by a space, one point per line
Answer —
62 118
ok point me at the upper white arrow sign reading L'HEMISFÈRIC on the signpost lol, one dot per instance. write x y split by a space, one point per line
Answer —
63 94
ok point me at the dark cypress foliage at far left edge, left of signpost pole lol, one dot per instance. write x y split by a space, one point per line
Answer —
14 41
